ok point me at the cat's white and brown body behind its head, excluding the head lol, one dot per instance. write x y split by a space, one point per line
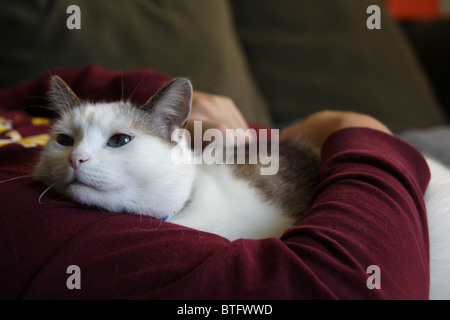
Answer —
235 201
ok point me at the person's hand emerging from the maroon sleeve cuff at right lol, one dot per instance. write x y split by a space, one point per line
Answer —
319 126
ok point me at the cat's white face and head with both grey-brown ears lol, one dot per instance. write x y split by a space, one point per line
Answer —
116 155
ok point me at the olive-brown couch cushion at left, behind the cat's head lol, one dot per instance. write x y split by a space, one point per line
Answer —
177 37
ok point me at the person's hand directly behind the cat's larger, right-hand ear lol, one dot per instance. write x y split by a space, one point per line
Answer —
215 112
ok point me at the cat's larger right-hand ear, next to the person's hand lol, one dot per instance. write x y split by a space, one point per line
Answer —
171 105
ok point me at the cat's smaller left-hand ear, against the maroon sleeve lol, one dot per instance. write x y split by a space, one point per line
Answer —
61 96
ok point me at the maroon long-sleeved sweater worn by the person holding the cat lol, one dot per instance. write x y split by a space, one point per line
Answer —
367 210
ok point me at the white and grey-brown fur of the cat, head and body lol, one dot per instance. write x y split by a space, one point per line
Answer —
234 201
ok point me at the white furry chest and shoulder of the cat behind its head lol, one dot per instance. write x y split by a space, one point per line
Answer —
219 203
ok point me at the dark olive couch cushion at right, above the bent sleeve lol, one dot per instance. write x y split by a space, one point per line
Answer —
311 55
